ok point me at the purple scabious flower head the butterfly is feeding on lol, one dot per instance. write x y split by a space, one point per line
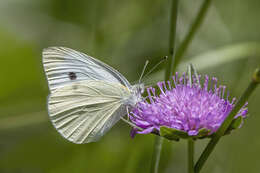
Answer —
185 106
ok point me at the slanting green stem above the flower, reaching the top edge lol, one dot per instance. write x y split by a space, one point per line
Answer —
193 29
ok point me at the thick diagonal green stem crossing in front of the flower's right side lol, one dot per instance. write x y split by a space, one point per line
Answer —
213 142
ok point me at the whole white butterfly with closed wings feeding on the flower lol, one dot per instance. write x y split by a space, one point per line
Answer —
87 97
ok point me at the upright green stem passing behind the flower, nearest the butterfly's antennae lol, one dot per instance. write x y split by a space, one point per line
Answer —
168 73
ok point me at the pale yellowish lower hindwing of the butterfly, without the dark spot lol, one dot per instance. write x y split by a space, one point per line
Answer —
84 111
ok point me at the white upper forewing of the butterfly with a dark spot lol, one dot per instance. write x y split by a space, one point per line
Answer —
64 65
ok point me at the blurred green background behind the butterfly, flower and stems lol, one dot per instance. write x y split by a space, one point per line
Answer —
123 34
